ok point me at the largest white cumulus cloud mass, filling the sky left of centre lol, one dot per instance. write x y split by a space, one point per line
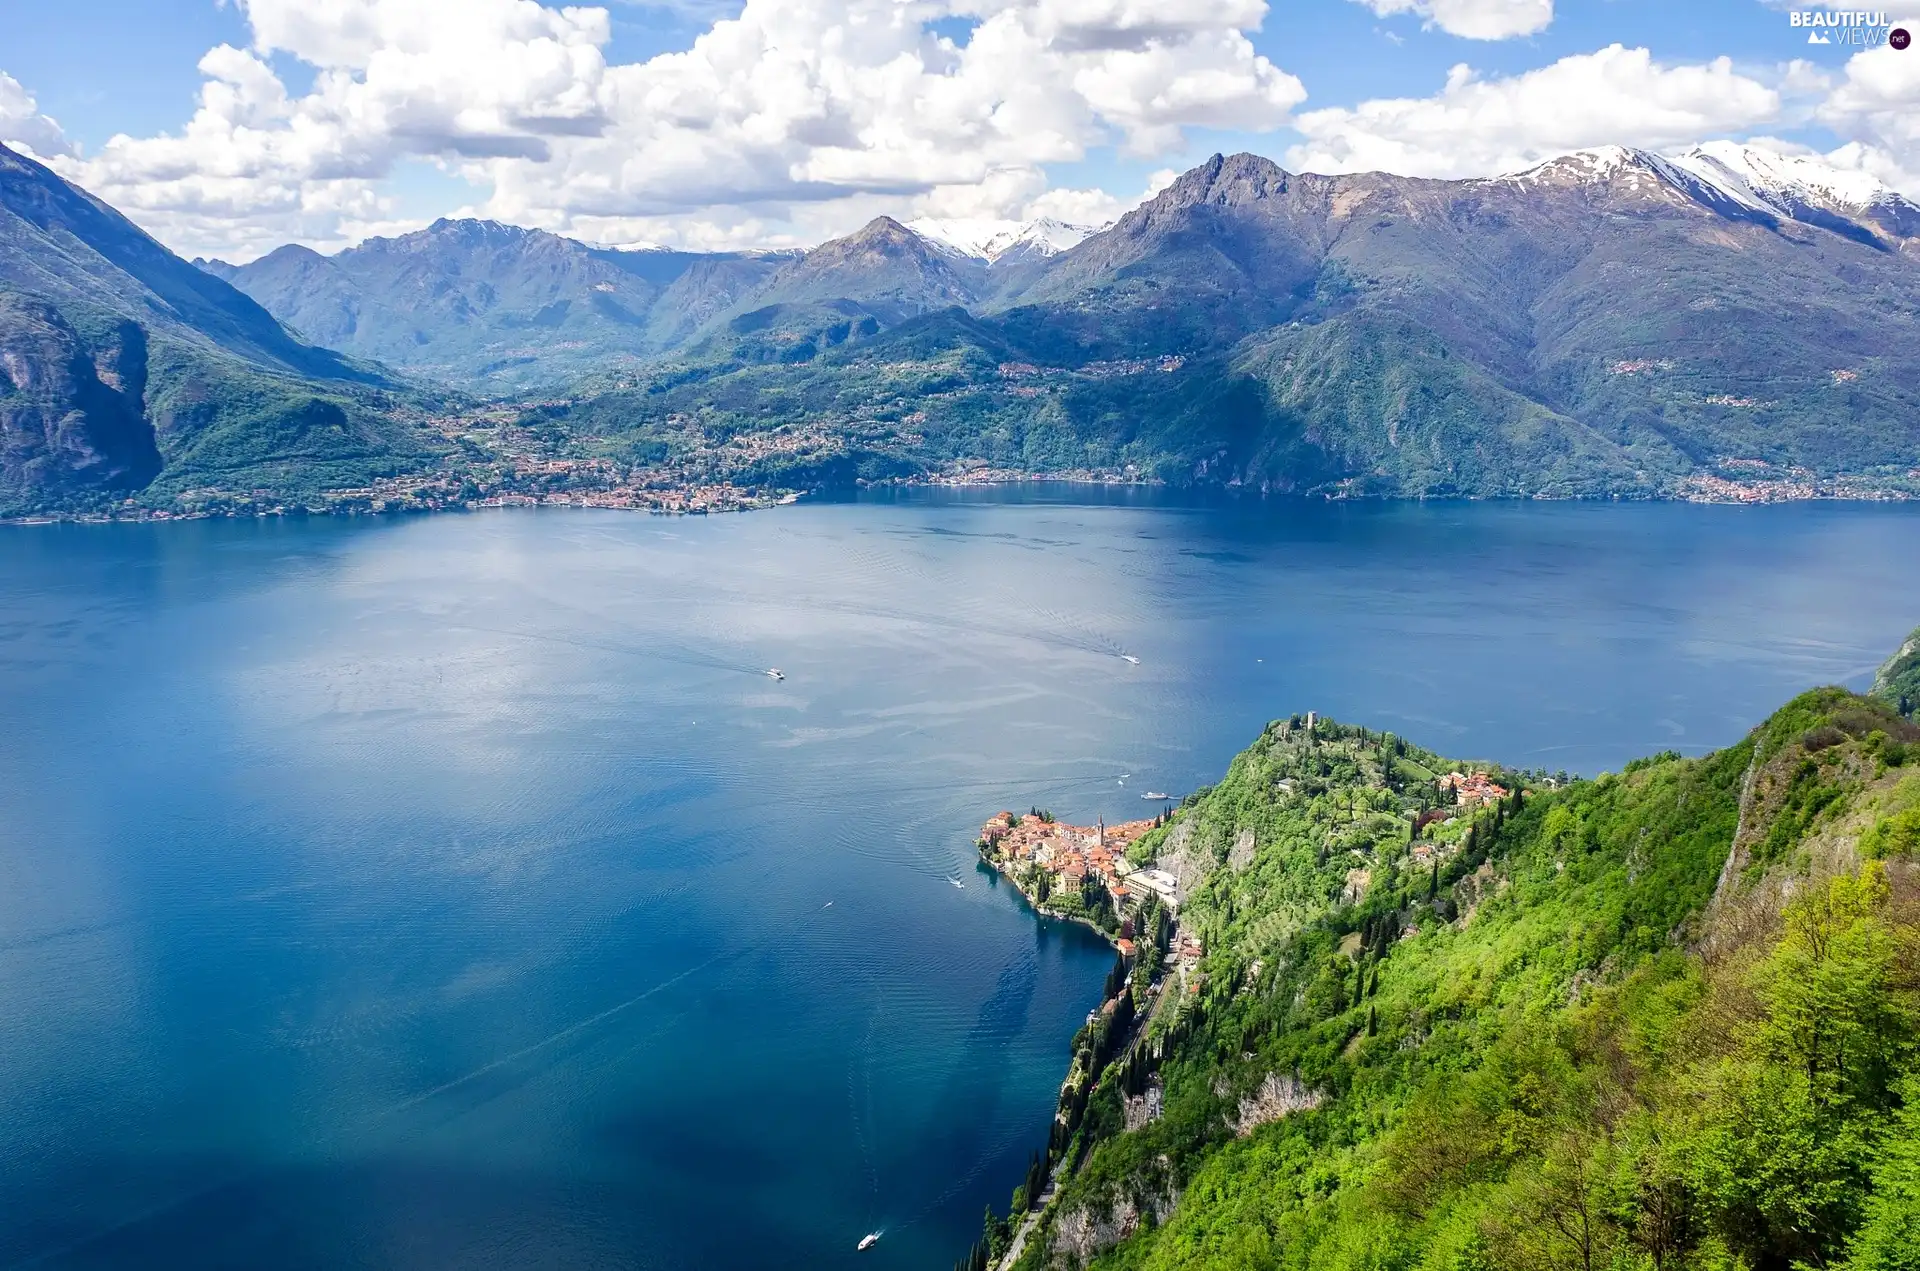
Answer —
780 124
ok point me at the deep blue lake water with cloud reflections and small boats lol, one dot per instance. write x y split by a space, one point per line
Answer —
460 894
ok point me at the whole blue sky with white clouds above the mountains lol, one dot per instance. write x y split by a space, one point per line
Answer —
229 128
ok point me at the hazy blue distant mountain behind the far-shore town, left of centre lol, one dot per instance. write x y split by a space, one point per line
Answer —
506 308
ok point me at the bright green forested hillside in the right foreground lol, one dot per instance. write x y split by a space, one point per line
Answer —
1420 1013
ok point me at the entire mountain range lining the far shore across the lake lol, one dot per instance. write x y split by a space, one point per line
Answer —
1606 324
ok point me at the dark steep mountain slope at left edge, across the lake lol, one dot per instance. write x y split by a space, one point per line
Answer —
126 368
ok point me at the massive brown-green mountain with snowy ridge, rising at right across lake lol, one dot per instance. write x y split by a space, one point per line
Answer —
1610 320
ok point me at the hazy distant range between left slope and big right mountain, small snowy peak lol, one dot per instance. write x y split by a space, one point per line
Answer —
514 310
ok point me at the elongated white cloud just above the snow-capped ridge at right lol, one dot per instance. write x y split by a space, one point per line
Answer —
1491 126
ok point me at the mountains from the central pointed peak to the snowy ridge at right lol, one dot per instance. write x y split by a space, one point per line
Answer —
1610 324
